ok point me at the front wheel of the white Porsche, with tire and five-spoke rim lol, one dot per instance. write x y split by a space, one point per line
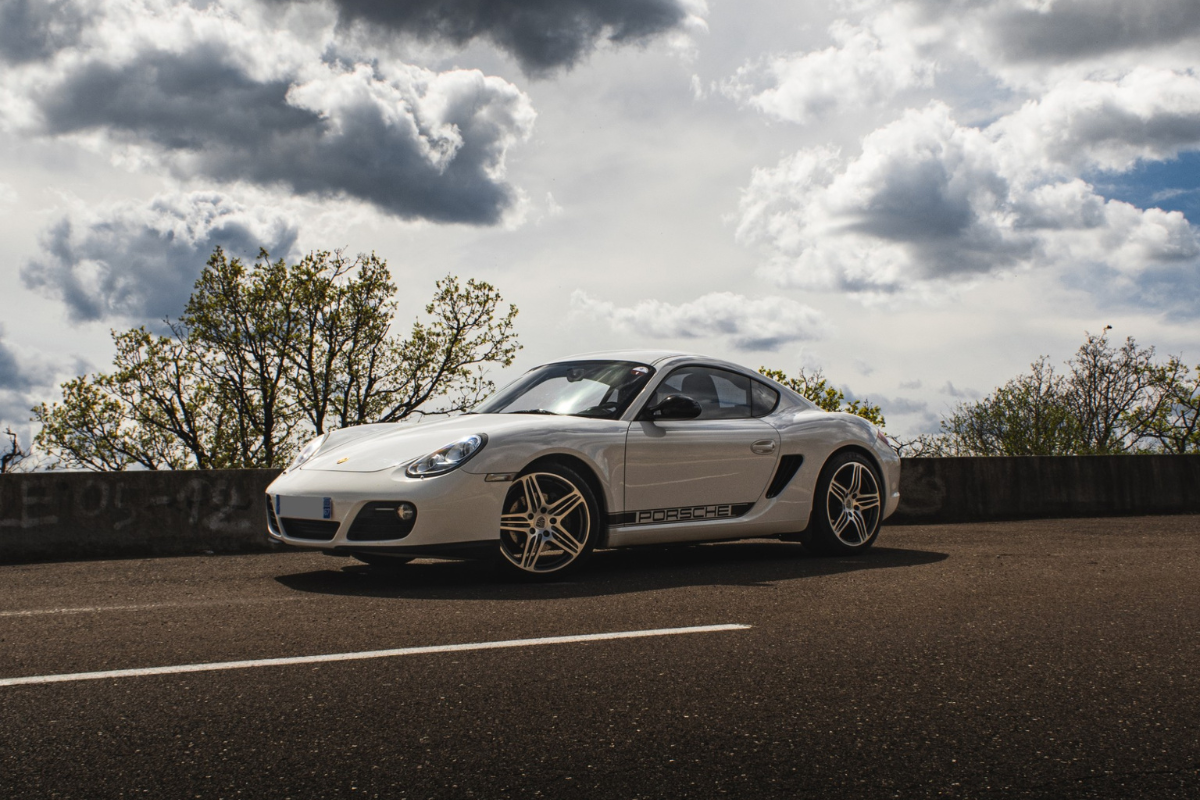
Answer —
549 525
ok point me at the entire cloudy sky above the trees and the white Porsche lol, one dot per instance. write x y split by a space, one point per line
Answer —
919 197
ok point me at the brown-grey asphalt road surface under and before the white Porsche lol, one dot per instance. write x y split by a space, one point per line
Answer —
1037 659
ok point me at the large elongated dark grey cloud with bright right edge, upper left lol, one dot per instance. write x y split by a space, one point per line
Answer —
357 135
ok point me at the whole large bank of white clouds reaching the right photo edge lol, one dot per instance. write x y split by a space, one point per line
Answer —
929 202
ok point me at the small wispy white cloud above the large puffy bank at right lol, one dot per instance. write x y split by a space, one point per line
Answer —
863 68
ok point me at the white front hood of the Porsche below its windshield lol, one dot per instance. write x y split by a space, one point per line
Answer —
374 448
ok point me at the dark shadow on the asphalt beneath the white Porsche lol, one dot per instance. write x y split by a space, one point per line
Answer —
759 563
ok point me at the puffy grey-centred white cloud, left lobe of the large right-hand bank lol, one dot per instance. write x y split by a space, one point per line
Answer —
926 200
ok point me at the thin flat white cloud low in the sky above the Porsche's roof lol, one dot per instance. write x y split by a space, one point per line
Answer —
745 323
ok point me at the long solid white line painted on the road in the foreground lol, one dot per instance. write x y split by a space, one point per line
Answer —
364 655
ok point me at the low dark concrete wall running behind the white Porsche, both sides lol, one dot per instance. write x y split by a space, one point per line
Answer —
64 516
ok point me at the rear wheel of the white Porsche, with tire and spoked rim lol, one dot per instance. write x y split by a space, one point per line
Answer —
848 508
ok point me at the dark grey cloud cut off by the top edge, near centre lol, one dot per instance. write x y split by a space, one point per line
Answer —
543 35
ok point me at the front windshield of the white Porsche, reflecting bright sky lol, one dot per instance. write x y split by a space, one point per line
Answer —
598 389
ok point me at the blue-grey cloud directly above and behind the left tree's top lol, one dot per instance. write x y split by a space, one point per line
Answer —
140 263
